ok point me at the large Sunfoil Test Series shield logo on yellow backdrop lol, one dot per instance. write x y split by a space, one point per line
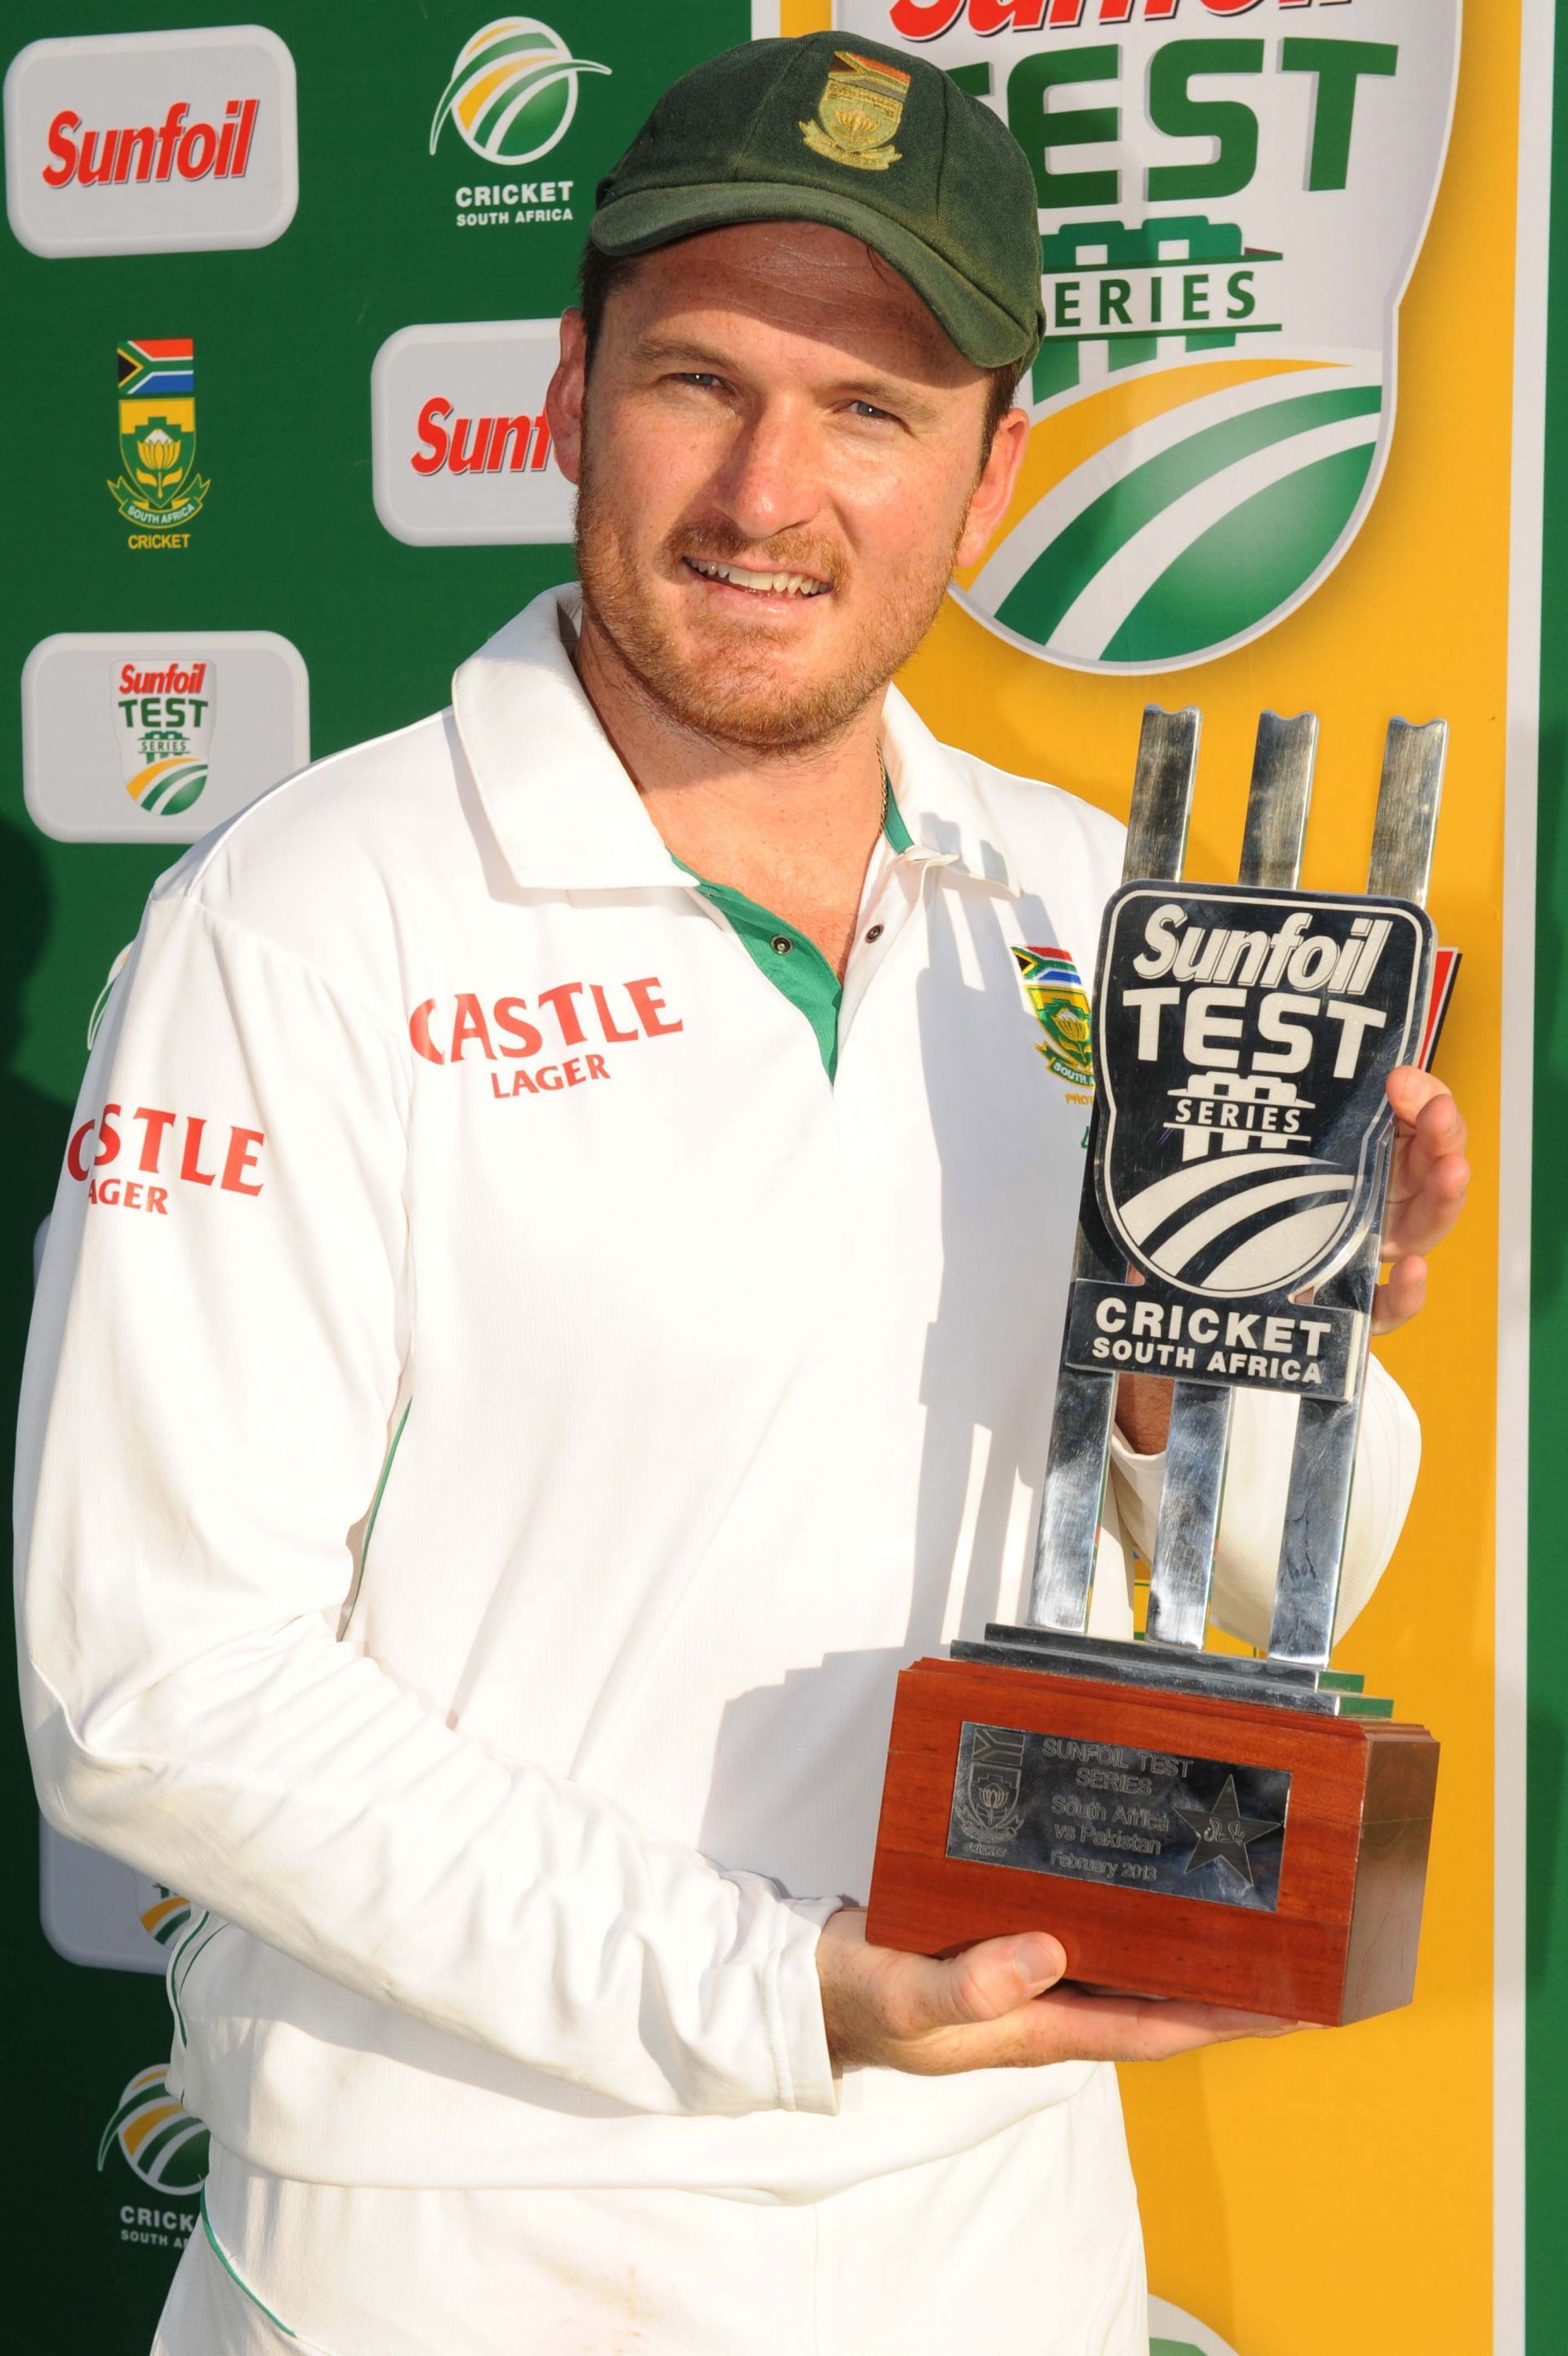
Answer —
1233 201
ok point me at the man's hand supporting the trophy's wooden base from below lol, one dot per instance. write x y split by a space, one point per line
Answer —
995 2006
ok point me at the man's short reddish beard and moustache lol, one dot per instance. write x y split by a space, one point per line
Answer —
731 680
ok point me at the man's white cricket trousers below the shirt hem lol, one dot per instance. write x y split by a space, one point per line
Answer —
1030 2242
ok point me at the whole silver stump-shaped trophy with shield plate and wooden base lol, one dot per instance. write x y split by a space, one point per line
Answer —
1242 1832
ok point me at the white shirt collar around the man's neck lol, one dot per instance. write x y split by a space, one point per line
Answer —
569 816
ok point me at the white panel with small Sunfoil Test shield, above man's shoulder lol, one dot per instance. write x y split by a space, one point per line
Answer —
159 736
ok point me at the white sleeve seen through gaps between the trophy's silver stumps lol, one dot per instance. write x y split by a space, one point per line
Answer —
1256 1485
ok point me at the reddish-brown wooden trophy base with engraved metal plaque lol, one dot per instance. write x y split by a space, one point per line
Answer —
1178 1846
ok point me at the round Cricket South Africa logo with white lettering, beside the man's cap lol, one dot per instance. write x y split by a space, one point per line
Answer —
512 100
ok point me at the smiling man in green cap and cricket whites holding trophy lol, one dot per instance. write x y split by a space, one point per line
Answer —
580 1311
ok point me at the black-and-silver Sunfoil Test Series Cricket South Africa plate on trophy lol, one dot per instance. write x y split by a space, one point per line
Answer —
1244 1047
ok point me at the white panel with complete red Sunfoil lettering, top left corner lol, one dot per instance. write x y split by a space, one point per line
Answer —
152 143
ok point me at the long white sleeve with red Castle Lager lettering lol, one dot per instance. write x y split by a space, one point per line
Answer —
211 1394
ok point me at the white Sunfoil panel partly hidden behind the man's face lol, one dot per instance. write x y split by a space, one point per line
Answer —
463 449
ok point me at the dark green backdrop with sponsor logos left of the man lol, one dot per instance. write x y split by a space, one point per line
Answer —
222 562
